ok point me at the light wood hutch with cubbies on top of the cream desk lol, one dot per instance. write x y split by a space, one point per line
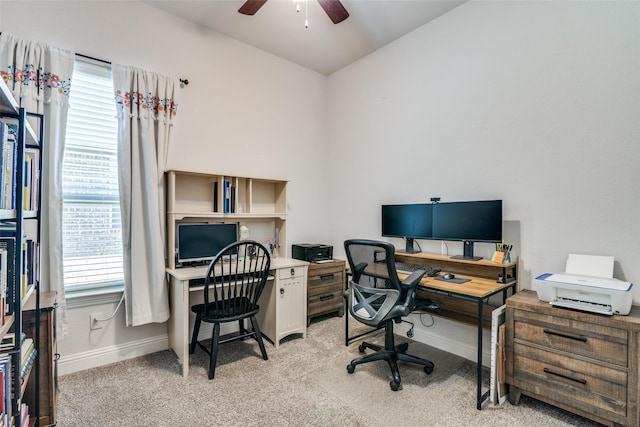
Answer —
200 197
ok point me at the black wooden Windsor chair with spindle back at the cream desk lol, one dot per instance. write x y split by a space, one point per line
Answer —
235 279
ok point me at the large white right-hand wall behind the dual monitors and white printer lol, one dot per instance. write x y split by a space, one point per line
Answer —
536 103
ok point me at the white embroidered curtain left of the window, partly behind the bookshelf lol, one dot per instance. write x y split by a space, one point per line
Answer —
40 77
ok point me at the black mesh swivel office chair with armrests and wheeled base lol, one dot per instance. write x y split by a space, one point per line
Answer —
376 297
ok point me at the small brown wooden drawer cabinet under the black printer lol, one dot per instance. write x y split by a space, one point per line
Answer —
325 286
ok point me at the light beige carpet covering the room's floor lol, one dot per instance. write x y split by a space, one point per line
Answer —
304 383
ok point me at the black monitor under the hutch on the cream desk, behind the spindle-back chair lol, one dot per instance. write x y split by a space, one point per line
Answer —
202 242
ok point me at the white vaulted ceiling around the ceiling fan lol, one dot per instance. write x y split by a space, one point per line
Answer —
324 46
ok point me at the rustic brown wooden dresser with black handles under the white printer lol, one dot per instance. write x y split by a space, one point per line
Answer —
584 363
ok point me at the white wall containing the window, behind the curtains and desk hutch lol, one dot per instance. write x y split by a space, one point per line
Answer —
245 112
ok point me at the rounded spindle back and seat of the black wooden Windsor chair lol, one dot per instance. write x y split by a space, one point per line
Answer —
235 279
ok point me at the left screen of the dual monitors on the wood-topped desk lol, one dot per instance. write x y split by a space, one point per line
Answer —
412 221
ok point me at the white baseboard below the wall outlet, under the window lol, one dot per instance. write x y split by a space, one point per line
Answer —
112 354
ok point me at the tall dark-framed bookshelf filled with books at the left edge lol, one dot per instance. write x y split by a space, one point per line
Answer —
20 194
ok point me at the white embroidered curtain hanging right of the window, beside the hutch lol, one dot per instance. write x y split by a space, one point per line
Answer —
146 111
